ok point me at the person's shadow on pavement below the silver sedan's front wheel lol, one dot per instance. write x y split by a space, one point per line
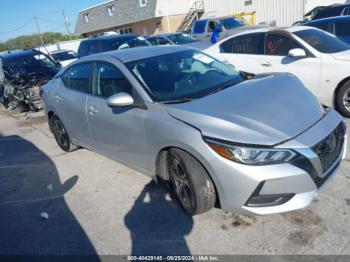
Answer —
157 224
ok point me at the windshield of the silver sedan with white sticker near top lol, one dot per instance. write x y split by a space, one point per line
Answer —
183 76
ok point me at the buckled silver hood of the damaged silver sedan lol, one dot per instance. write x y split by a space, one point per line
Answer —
266 110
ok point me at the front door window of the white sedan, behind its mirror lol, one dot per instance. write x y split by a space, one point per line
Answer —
279 45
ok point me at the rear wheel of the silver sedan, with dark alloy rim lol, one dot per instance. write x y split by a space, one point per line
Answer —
61 135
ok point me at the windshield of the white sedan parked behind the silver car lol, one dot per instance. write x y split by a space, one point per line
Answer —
322 41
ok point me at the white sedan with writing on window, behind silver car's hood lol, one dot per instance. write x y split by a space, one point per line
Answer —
320 60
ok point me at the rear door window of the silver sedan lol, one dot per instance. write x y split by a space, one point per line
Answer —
77 78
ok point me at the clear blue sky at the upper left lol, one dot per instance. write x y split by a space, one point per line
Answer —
16 15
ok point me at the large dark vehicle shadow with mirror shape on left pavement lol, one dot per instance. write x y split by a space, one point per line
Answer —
30 188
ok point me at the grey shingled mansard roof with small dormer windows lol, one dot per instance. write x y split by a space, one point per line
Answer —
125 12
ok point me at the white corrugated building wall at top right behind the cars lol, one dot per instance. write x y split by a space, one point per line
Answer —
284 12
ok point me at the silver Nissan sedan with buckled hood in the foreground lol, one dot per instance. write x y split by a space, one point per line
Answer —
261 145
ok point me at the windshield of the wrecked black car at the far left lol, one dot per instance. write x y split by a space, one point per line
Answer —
29 61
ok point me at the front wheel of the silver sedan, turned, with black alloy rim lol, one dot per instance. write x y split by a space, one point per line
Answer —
190 182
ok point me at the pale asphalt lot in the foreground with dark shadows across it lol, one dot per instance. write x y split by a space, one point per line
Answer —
96 206
